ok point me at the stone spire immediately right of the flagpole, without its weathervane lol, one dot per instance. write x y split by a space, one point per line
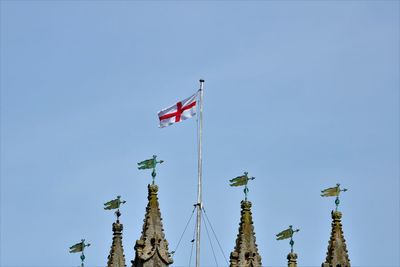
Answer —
245 253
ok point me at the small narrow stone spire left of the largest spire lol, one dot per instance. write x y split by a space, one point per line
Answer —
116 257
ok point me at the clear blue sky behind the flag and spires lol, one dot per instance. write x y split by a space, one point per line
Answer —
301 94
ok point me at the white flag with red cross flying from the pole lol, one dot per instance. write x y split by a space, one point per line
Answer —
180 111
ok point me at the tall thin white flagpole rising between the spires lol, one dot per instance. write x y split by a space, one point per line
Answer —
199 185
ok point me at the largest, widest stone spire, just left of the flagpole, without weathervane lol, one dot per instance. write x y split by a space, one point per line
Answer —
151 250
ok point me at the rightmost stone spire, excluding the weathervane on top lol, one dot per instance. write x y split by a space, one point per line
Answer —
337 252
